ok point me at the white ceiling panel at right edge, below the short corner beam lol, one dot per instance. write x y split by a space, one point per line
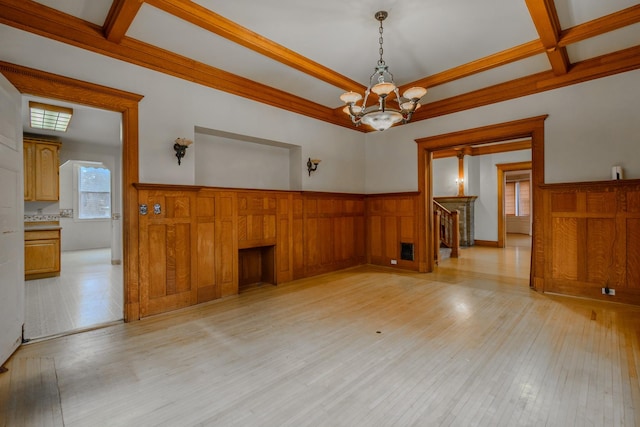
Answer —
606 43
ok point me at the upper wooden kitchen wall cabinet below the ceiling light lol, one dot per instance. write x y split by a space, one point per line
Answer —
41 174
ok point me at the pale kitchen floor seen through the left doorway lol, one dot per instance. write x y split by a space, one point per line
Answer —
88 293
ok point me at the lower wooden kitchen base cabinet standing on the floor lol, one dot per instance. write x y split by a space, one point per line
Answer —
41 253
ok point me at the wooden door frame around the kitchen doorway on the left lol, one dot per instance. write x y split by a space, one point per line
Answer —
40 83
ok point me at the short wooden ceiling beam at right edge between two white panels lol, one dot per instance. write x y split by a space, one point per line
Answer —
602 25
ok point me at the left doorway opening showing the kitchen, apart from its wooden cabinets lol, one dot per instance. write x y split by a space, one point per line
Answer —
88 292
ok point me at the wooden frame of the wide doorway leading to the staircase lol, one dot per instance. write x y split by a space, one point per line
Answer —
533 128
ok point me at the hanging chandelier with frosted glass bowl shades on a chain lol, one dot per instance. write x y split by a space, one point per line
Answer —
381 116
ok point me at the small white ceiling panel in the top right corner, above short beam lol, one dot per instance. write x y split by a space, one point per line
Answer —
574 12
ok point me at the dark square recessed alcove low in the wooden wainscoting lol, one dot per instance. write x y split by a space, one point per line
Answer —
256 266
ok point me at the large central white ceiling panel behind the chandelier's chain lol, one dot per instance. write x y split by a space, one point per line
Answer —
421 37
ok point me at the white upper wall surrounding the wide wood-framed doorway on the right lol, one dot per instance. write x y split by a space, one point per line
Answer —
591 127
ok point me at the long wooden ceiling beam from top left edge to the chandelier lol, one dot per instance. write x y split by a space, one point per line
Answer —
211 21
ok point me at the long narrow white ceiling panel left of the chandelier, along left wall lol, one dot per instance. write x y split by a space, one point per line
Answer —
203 46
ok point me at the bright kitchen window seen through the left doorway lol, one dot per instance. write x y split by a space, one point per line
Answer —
94 192
